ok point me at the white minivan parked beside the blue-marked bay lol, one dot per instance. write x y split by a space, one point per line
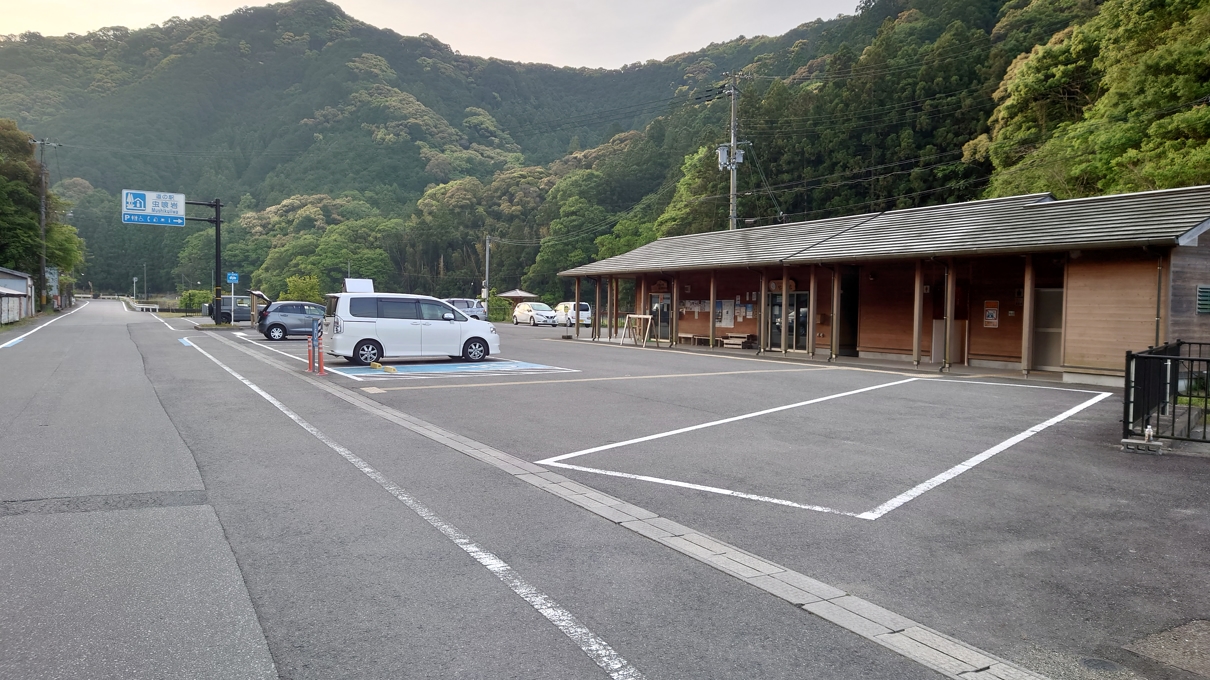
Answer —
370 327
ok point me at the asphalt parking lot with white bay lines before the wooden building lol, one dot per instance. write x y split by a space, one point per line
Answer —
1016 522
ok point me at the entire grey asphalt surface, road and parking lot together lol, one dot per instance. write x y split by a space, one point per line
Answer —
198 509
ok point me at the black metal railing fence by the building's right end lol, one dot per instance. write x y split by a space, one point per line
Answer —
1167 390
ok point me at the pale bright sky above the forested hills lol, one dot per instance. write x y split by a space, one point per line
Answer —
579 33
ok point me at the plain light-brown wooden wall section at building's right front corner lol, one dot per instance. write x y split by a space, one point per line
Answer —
1109 308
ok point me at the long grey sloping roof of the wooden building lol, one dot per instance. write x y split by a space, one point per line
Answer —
1017 224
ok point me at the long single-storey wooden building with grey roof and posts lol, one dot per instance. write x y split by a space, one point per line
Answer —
1027 283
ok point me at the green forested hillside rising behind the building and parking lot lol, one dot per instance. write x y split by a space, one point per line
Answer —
341 148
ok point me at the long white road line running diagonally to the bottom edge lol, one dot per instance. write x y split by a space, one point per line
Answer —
592 646
